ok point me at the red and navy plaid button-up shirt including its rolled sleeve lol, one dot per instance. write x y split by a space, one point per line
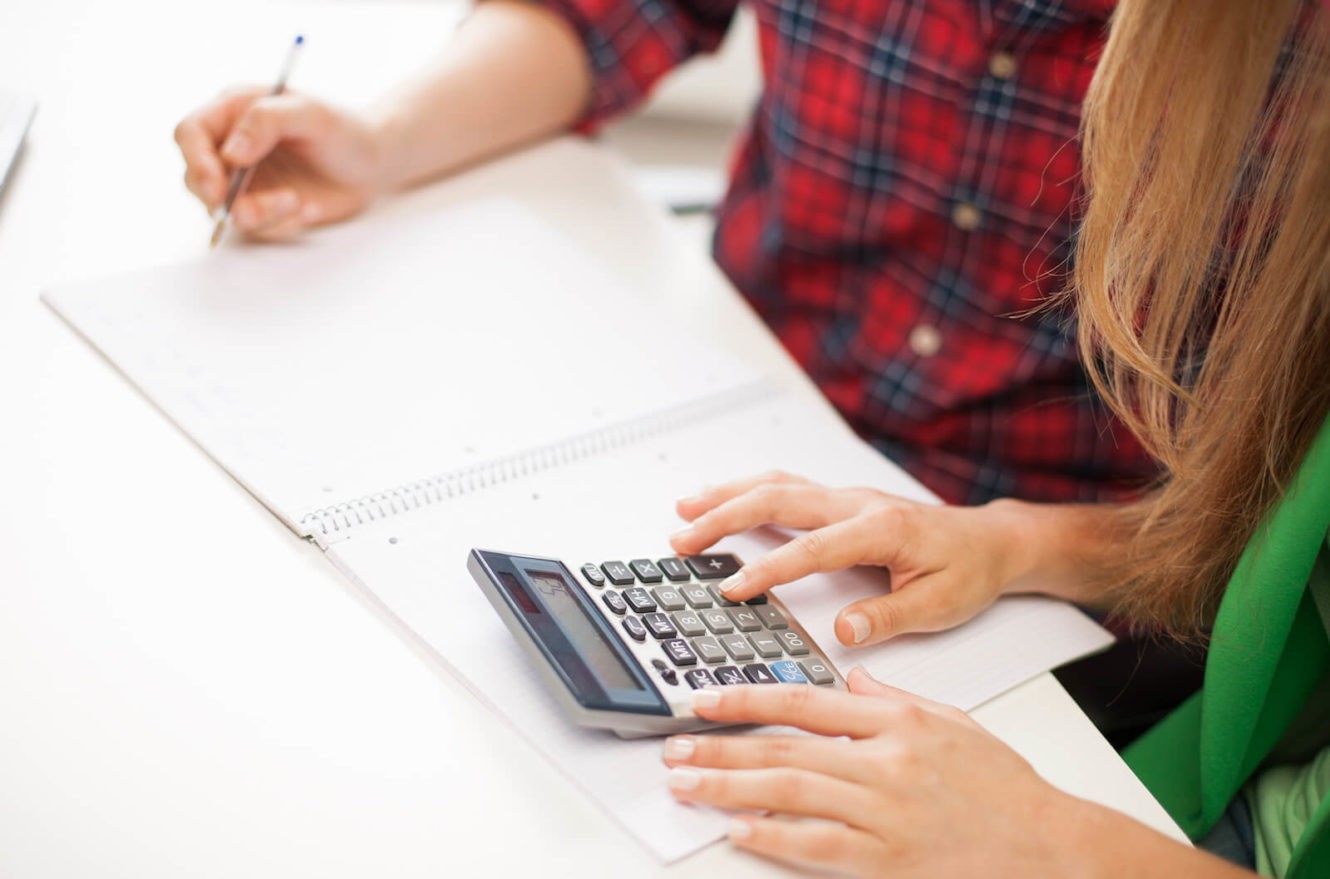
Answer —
900 203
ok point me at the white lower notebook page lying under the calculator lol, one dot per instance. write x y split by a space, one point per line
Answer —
622 506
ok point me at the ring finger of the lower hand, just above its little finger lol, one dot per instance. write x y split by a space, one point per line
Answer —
792 792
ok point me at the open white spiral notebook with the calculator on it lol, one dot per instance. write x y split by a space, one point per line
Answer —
523 358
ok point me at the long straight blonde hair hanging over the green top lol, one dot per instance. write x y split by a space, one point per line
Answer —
1203 276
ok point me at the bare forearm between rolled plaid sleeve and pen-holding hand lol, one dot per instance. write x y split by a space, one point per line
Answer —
515 72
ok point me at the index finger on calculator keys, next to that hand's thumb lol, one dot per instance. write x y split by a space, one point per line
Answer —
840 546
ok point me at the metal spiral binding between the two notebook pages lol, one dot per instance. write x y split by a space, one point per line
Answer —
477 478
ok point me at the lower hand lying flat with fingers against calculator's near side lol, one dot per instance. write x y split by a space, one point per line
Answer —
916 789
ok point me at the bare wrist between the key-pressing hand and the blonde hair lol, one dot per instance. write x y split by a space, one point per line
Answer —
1069 551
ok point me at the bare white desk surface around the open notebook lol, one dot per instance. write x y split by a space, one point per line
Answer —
186 688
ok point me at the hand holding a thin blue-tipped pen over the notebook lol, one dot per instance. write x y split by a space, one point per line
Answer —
272 163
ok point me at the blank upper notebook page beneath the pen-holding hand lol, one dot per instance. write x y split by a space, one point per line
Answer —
323 372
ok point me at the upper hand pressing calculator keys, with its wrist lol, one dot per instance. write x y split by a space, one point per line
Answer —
946 563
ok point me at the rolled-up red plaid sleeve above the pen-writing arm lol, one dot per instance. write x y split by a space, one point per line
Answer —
635 43
